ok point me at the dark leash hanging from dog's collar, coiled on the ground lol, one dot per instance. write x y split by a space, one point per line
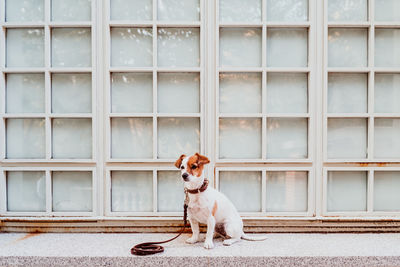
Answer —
150 248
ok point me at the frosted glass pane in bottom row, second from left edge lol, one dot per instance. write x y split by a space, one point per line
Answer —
72 191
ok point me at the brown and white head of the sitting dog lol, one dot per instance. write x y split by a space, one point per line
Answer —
192 167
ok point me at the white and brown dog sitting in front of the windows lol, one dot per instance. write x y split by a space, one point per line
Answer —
208 206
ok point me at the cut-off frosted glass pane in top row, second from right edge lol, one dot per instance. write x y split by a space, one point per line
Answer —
347 10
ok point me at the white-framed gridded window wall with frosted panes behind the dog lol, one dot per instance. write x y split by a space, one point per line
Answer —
295 102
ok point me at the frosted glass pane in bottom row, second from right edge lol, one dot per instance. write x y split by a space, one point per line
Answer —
347 191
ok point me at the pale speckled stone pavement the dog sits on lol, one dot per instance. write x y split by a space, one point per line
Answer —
18 249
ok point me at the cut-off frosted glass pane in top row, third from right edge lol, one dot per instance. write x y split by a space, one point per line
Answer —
287 10
